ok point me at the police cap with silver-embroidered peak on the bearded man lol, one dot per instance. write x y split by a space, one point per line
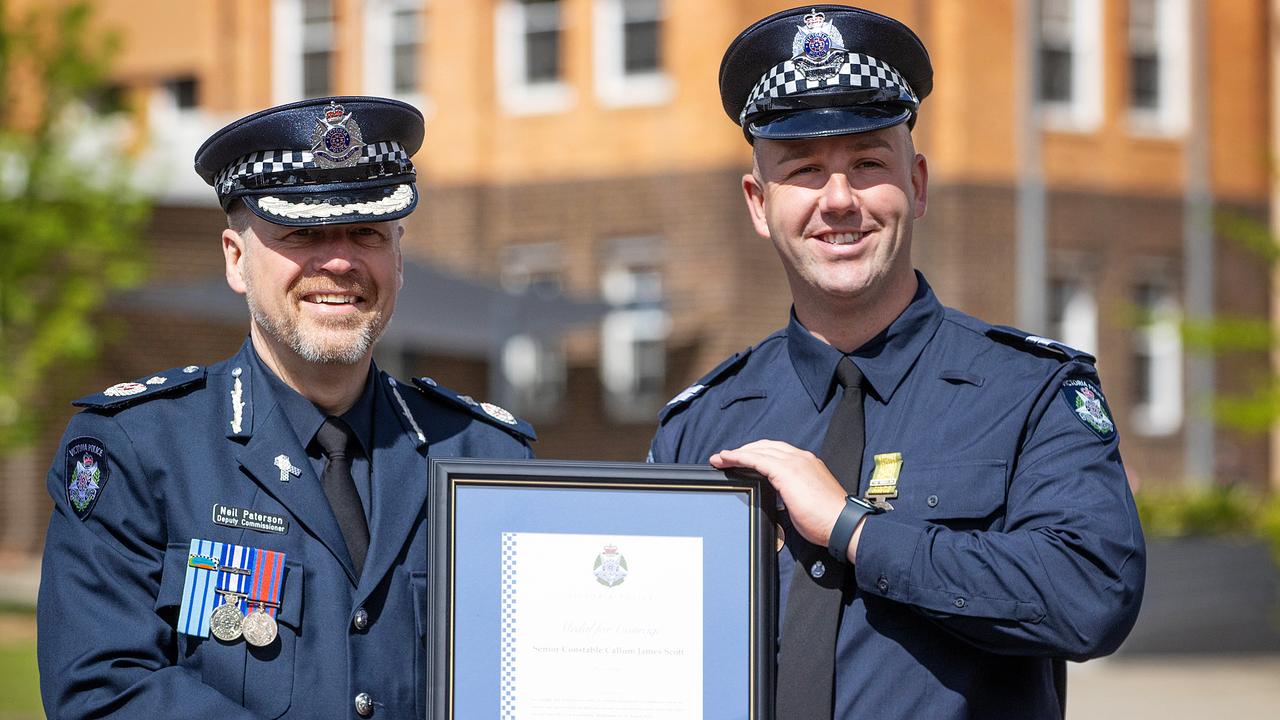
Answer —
319 162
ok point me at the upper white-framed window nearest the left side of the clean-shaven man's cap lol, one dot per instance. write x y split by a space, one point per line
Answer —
629 53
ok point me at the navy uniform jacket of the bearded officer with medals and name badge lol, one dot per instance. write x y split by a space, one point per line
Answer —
166 453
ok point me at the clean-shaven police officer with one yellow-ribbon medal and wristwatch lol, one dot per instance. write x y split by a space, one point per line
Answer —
958 521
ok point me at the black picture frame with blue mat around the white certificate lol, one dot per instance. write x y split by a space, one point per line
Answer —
733 512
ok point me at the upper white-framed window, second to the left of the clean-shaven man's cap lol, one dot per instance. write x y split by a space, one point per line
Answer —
529 47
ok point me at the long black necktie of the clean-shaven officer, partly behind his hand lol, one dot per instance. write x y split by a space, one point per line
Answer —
807 660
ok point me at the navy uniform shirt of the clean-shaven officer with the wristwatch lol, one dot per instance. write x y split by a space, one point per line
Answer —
1013 544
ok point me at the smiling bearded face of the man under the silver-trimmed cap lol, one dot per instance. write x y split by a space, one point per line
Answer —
322 295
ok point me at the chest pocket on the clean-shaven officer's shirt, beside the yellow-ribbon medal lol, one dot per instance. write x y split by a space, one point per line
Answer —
963 495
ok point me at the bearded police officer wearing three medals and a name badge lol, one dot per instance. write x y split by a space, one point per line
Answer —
248 540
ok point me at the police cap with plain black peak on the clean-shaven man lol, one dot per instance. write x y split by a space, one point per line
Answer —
822 71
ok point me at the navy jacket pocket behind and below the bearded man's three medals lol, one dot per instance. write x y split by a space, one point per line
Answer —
259 678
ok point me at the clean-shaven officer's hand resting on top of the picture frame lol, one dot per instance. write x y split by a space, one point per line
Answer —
813 496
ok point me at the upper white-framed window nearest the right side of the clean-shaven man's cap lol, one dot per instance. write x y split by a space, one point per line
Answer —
1071 65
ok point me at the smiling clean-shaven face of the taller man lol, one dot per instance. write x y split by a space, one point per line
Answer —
840 212
